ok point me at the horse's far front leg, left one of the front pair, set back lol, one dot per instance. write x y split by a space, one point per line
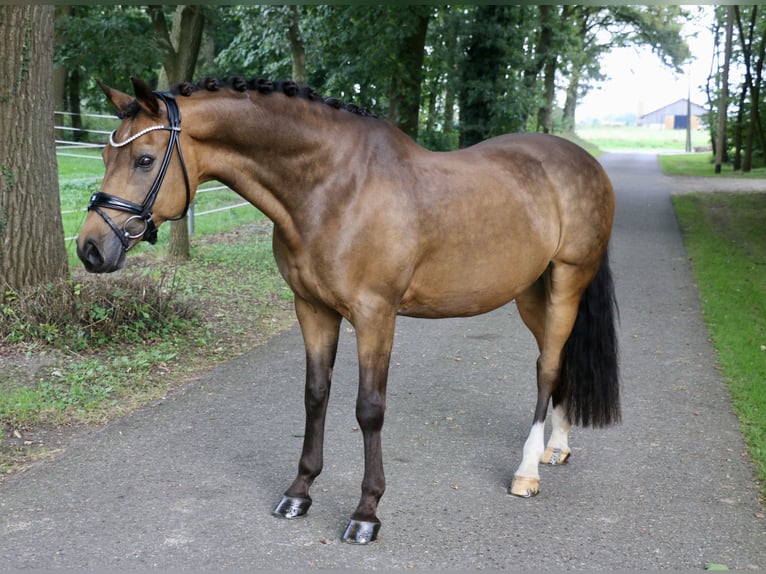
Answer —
320 327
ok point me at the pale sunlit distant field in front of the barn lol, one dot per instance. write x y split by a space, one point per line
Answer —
631 137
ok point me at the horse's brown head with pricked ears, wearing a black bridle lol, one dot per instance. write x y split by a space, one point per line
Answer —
146 180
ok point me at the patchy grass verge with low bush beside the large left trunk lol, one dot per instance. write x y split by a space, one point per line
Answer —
96 347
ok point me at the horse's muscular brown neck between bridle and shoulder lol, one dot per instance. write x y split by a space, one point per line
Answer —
272 150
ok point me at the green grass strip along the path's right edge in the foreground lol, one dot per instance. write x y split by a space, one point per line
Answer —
725 238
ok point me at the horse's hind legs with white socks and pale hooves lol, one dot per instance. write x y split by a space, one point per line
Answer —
549 309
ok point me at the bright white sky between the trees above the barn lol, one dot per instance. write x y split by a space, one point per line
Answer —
639 83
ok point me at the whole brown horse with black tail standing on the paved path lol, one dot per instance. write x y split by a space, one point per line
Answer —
368 226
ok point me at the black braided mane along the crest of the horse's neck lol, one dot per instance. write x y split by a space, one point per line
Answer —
261 85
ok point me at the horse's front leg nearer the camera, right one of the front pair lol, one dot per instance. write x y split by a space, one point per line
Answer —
374 341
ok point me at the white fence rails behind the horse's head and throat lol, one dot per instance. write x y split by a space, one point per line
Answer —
68 148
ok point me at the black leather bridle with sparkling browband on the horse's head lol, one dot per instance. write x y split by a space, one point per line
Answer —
143 212
